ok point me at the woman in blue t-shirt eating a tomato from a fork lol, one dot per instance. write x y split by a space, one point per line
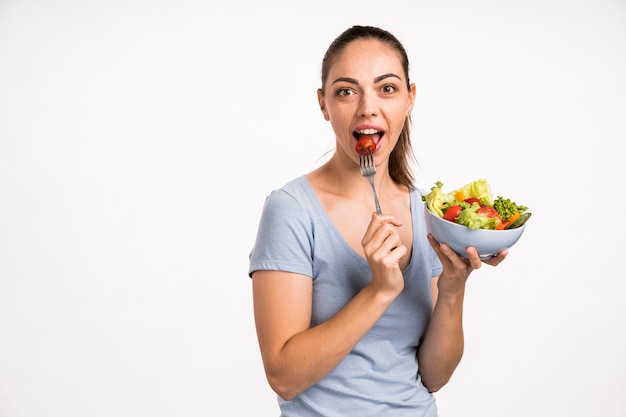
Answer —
358 314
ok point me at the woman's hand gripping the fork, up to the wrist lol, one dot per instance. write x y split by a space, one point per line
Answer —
384 251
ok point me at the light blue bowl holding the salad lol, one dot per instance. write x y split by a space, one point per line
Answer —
487 242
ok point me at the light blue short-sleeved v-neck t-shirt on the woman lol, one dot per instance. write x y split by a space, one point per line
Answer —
379 376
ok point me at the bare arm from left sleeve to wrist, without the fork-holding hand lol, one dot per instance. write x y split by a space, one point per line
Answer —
294 355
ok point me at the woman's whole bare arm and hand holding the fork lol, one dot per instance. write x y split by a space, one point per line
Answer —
296 356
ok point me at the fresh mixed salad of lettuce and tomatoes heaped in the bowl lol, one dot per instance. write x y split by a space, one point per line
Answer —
473 206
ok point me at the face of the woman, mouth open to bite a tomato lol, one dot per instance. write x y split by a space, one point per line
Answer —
366 94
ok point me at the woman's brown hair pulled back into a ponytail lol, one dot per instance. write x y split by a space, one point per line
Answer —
402 154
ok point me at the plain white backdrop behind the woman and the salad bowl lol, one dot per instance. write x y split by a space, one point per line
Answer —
138 140
